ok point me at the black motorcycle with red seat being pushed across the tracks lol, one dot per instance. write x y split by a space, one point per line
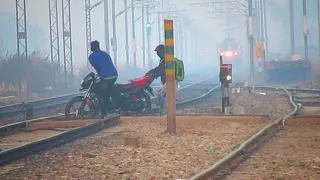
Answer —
133 96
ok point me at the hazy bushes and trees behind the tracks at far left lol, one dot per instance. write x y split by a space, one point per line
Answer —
33 74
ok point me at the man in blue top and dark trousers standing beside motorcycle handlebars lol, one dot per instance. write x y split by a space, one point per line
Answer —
102 63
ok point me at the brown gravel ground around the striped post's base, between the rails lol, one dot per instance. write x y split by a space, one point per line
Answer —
139 148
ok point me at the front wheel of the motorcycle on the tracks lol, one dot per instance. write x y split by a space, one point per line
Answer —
79 108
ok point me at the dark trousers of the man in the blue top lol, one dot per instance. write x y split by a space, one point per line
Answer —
104 92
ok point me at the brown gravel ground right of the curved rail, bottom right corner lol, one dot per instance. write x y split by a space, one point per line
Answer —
293 154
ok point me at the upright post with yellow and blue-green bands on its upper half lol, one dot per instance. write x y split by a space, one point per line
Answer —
170 76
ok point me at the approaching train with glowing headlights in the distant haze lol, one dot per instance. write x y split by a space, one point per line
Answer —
231 51
